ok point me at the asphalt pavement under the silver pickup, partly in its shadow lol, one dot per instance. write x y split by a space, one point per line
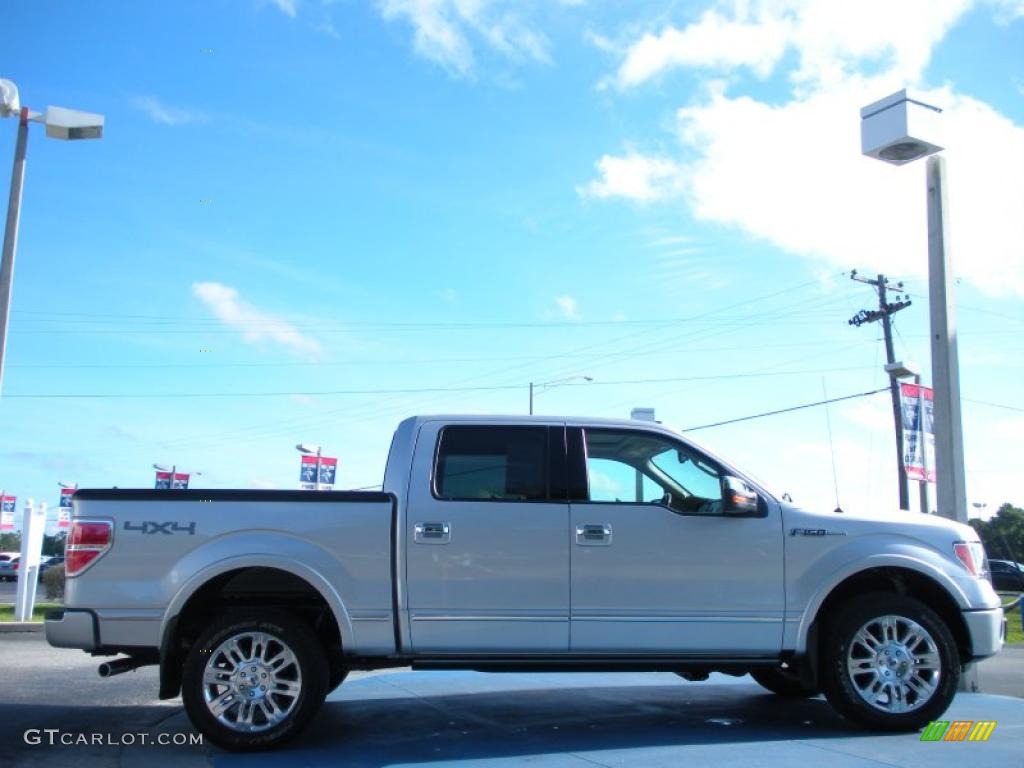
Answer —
463 718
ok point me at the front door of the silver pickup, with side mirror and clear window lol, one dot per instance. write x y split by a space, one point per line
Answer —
656 566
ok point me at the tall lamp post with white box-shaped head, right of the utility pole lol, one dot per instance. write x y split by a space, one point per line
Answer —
892 131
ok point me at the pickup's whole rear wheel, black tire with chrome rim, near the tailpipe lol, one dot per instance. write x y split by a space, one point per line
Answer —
283 653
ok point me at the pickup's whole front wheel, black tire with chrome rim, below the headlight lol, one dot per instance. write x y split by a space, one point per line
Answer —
929 660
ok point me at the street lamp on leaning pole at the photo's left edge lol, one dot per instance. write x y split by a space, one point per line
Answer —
61 123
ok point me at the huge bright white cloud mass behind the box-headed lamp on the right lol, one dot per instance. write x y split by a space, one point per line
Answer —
790 173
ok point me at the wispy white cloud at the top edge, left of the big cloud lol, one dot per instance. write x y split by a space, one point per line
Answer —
443 31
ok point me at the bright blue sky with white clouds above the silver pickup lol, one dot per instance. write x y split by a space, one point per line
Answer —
342 202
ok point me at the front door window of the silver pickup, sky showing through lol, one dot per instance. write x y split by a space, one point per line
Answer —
637 468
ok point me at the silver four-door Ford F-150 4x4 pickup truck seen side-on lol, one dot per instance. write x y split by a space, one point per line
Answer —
505 544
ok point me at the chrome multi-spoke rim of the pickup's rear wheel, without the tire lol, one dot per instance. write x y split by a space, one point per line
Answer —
252 682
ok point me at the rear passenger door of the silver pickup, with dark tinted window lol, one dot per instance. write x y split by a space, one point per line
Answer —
488 561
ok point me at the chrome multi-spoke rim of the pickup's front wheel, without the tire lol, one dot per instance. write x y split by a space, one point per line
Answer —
894 664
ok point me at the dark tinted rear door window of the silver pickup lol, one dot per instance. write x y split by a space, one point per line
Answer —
492 462
